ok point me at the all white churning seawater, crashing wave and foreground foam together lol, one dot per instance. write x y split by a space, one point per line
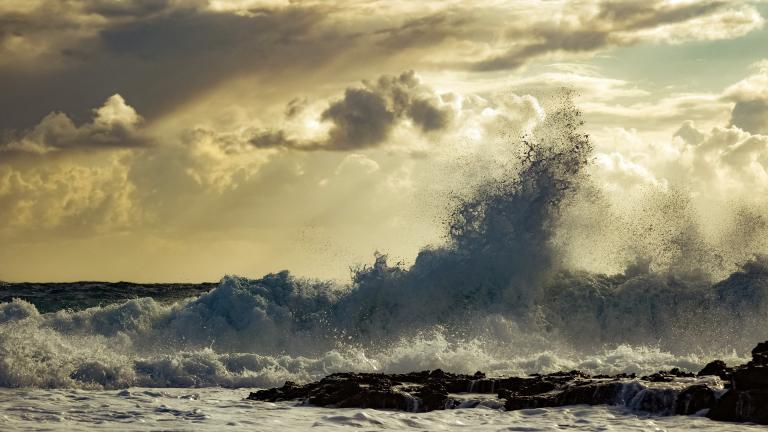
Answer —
497 297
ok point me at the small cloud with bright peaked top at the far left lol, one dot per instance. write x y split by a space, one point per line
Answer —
114 125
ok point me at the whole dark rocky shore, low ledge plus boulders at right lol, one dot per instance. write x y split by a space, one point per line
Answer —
736 394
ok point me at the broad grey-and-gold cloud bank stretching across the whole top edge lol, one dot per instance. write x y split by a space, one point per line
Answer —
163 54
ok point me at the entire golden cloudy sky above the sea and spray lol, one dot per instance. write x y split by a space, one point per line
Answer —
169 140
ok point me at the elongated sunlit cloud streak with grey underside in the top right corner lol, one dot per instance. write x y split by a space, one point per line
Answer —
588 27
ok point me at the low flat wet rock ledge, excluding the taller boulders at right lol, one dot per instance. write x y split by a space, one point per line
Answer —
435 390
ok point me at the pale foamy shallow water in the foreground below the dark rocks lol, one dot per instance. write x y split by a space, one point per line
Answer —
216 409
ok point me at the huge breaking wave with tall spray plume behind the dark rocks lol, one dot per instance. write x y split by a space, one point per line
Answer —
496 297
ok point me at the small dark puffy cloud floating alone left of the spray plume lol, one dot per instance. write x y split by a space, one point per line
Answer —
365 117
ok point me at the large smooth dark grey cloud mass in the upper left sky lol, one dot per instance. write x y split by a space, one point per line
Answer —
158 55
